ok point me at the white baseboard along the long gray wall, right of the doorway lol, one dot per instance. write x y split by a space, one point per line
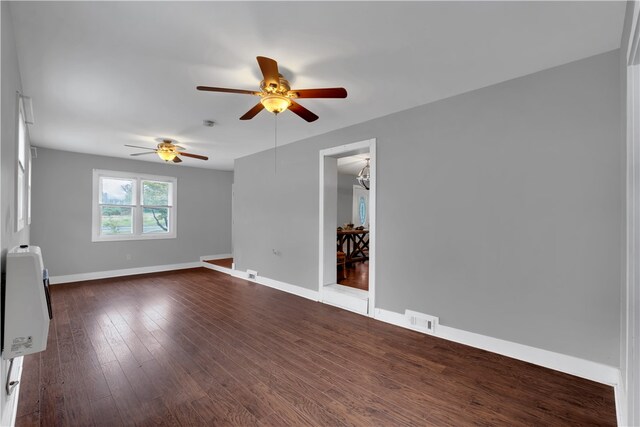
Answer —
593 371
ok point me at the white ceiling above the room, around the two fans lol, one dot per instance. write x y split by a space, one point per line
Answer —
105 74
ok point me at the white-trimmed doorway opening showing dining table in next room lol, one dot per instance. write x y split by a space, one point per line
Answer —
347 227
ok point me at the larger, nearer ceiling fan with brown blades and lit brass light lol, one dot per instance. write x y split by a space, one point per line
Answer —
276 93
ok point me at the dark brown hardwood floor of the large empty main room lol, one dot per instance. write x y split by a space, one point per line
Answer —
198 347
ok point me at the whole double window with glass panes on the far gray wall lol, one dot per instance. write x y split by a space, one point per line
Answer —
128 206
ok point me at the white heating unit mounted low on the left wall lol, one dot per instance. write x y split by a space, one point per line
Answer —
27 303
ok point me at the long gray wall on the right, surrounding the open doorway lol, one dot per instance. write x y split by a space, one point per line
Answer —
499 210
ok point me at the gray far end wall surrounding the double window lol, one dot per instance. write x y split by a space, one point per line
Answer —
61 224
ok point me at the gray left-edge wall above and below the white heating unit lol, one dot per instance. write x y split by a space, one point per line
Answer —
8 162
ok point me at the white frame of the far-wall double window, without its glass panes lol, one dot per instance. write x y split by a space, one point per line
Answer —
136 206
